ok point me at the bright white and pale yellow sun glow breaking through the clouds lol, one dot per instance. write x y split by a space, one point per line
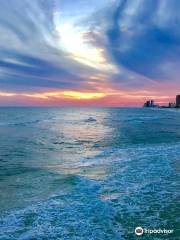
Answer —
73 41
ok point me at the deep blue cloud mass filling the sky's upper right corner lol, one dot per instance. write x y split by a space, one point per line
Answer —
140 38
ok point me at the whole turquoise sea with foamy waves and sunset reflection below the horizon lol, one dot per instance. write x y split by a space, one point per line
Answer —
89 173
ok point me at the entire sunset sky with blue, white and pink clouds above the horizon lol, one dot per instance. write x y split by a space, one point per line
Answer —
89 52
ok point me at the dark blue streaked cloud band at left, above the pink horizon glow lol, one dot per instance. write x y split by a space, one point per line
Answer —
39 72
